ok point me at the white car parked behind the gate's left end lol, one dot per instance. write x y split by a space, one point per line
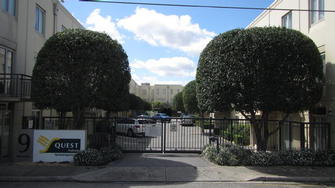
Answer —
133 127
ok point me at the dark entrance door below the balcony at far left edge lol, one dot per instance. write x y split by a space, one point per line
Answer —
4 131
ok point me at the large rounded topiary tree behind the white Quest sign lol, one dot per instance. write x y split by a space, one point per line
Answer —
78 69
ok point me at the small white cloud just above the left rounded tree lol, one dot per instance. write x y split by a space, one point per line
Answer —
97 22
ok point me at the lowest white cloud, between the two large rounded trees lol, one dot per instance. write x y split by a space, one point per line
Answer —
174 66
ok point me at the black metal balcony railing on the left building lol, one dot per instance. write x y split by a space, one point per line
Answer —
15 87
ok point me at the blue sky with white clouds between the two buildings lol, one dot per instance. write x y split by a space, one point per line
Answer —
163 44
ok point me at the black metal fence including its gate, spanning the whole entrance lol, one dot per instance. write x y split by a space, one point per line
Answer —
192 134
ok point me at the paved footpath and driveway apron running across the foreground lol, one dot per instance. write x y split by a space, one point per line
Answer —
161 168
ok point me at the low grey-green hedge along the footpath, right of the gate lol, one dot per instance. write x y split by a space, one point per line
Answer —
231 155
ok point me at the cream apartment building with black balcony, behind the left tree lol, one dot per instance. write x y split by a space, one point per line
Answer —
24 27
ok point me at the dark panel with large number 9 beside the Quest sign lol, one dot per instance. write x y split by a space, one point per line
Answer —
24 145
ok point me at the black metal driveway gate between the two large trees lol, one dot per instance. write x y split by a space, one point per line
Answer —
173 135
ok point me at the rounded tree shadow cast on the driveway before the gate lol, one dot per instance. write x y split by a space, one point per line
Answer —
148 169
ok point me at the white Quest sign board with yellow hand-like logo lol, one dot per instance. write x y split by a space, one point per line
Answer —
57 145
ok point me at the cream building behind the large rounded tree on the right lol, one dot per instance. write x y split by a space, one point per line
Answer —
320 27
